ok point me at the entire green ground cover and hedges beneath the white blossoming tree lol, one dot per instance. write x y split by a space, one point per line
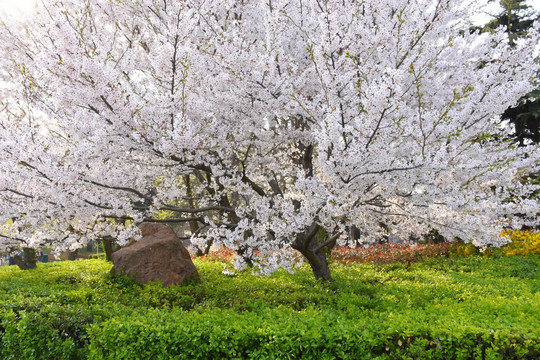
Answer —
457 307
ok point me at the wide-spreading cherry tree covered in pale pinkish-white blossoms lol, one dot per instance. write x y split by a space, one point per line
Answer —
267 125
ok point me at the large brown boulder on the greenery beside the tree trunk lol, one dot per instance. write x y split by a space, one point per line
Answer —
158 256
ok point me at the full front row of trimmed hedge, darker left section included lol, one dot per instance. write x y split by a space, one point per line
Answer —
276 334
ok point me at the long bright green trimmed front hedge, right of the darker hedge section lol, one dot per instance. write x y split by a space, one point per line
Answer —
285 334
